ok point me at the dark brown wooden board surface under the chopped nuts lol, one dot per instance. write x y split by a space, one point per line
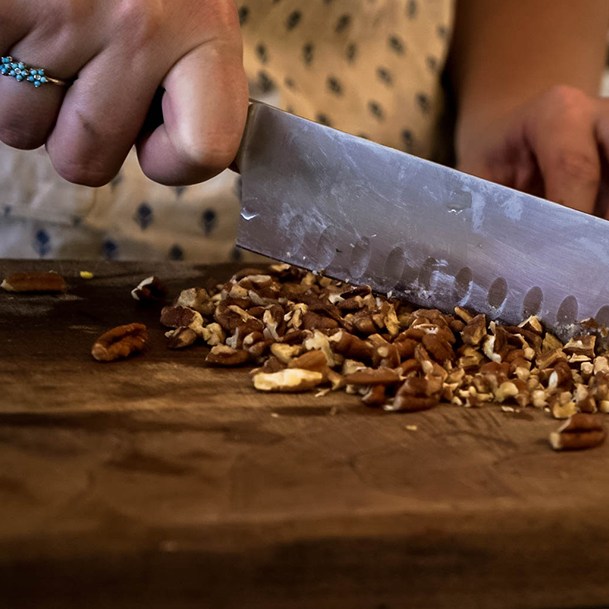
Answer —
159 482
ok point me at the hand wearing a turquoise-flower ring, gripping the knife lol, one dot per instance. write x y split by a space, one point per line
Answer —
122 57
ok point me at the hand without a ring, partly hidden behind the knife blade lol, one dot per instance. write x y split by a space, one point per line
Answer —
555 146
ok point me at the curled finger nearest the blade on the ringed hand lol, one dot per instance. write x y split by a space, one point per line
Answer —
204 108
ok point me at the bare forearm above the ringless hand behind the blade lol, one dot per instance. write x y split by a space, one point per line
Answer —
505 52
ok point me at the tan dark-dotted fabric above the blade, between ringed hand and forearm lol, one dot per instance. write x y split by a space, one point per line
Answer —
362 66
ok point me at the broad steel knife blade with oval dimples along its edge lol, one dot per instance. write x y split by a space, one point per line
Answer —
363 213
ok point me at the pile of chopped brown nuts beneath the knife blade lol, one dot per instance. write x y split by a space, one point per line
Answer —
303 332
